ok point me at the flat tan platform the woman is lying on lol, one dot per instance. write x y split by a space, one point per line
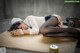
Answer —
37 42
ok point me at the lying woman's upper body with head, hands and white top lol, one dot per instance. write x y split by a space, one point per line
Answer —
29 26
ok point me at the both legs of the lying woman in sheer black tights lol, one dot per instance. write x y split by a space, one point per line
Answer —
50 26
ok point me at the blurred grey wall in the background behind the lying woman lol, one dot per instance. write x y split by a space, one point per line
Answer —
22 8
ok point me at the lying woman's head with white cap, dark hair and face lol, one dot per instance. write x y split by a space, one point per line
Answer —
17 23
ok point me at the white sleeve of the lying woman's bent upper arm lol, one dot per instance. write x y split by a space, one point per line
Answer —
30 21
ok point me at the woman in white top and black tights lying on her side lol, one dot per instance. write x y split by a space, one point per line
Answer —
39 25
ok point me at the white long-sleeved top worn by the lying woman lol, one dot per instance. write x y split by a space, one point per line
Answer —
35 22
